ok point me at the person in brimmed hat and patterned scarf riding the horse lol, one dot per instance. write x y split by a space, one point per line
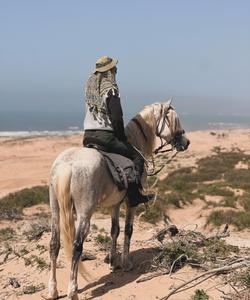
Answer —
104 124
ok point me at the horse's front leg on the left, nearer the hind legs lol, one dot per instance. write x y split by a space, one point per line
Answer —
115 230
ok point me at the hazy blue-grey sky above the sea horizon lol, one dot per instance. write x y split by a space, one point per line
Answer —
196 51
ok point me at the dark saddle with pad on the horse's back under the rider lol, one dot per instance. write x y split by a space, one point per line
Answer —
121 168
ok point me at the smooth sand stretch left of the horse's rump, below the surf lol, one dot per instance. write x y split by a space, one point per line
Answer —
26 162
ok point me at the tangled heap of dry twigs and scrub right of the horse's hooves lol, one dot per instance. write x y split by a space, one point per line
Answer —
194 248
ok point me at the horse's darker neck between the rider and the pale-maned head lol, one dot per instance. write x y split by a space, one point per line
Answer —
142 135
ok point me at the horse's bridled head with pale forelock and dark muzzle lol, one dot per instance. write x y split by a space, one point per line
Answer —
168 127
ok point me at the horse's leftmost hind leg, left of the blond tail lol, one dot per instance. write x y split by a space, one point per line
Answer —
54 243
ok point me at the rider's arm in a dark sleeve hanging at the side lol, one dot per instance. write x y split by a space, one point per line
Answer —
115 113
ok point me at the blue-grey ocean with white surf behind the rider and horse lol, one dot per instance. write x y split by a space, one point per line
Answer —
67 123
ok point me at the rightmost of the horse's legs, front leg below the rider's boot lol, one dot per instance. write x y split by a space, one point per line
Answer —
126 262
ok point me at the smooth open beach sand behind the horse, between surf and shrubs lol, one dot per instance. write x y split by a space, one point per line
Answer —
26 162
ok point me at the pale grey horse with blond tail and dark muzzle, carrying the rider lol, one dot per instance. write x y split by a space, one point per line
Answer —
80 180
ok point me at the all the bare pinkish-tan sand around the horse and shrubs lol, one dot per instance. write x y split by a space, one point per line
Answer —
26 162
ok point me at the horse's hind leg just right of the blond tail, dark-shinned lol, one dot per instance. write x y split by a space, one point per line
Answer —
81 234
